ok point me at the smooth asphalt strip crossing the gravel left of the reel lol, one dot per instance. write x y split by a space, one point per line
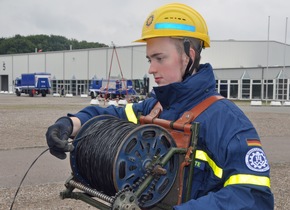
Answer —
47 169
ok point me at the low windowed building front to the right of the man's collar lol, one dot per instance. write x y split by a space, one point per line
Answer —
254 83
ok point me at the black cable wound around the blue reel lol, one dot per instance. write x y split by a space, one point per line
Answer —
95 152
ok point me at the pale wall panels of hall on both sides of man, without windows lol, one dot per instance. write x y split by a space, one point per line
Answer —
231 60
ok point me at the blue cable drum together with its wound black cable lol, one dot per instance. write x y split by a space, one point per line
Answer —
111 154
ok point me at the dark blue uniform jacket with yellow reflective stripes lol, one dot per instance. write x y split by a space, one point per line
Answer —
231 168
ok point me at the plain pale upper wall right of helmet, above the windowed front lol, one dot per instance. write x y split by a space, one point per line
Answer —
238 54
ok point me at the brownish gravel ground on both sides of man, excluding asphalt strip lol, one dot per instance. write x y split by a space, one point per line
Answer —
24 121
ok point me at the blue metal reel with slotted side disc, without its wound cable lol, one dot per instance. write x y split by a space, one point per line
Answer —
141 149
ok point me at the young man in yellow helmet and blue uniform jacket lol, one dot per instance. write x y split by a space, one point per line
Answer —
233 172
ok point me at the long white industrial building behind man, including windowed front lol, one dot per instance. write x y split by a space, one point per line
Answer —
245 70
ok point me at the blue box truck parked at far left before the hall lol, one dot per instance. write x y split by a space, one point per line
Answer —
33 84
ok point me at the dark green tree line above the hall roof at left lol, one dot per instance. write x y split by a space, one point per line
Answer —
43 43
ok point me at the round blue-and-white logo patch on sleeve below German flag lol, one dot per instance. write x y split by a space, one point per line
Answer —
256 160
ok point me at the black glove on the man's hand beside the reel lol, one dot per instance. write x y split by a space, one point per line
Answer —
57 137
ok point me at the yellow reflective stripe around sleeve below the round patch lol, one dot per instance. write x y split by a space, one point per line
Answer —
248 179
